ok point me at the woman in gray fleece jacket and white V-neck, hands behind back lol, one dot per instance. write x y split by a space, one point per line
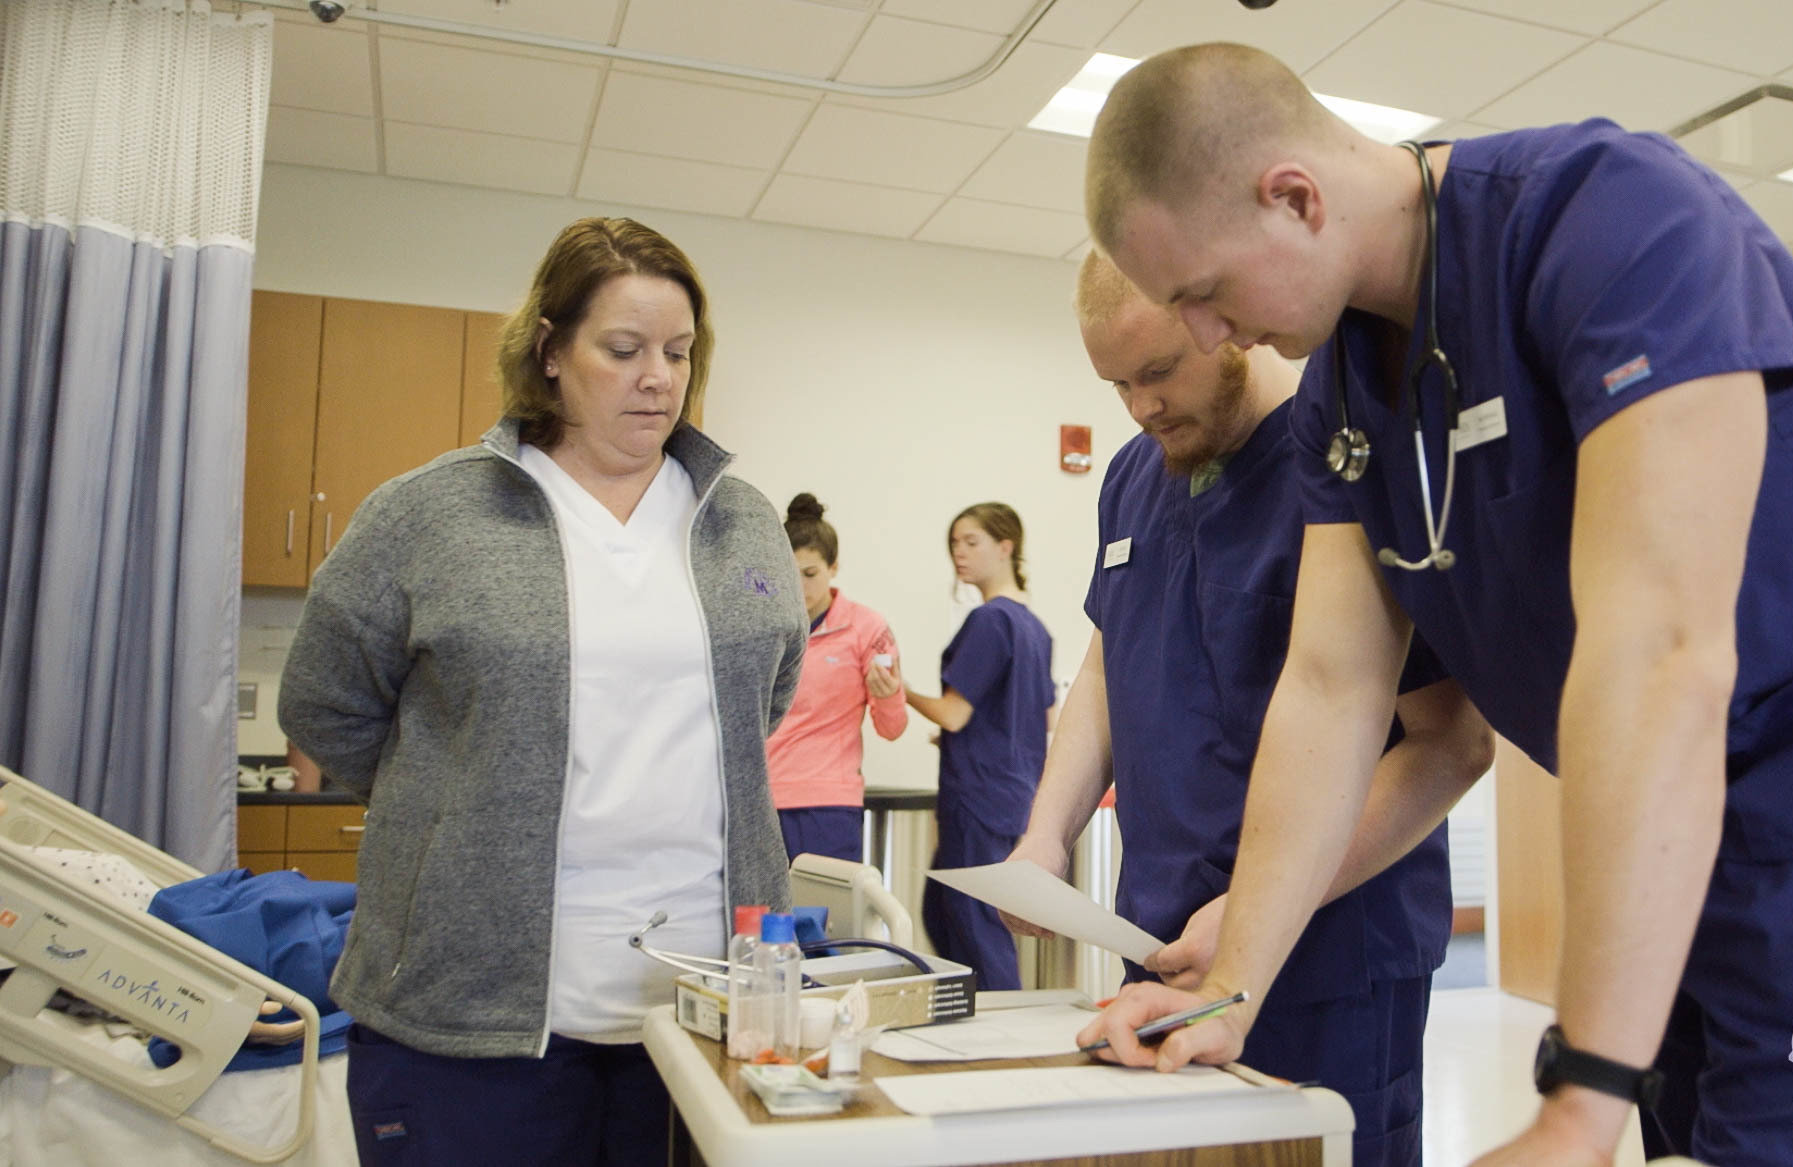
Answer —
550 666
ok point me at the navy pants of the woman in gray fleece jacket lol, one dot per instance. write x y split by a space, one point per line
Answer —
580 1105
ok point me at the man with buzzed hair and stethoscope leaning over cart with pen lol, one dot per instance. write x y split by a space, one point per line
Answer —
1606 564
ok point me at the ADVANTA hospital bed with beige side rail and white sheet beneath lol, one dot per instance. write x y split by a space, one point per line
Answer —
83 1093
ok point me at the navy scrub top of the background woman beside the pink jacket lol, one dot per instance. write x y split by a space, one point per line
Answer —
1000 661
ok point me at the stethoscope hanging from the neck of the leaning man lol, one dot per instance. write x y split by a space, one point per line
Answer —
1349 453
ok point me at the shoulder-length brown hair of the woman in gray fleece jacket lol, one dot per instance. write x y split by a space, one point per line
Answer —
582 259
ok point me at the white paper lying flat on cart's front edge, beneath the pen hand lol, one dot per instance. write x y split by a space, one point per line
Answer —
1023 1089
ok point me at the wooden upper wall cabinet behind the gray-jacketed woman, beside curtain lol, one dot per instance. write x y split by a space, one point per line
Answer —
345 395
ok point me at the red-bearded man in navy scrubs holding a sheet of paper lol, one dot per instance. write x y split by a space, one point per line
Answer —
1191 596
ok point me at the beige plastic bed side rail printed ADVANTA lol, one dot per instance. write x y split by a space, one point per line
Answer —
73 938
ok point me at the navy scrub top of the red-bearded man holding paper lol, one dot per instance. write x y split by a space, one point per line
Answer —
1193 600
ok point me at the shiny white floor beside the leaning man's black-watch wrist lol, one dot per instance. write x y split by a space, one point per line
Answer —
1478 1075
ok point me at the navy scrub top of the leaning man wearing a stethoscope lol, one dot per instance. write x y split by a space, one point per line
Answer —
1581 270
